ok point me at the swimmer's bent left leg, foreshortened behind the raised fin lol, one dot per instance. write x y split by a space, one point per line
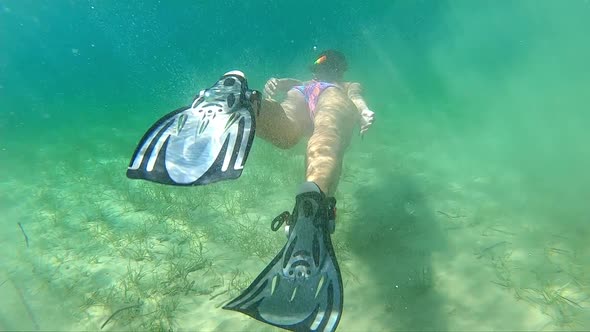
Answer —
283 124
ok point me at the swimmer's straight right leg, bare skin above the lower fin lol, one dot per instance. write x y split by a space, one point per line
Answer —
334 122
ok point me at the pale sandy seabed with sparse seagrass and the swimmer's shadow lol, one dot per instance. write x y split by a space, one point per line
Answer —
420 247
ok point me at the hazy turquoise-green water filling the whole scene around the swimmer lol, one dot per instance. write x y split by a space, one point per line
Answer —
464 207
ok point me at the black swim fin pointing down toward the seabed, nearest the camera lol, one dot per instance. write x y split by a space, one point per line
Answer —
301 288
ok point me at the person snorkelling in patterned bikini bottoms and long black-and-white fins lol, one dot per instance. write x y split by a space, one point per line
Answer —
209 141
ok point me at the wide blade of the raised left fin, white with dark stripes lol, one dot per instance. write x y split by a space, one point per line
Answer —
175 152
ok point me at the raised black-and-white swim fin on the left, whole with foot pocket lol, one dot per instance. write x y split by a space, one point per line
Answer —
206 142
